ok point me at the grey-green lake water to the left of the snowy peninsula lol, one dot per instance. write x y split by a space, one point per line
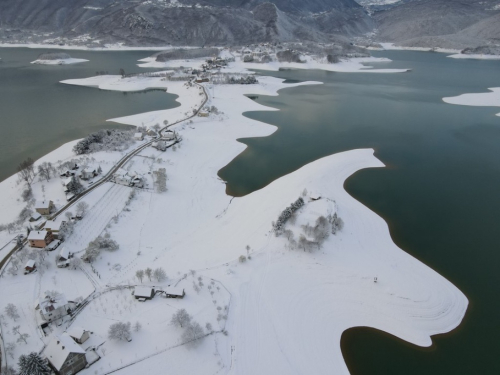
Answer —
38 114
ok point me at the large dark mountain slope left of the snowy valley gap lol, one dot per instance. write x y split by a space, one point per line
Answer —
187 22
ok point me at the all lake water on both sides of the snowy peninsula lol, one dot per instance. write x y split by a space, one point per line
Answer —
439 192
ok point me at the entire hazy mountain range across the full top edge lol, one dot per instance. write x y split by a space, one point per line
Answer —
431 23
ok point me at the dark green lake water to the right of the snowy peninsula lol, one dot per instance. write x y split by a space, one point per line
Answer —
439 193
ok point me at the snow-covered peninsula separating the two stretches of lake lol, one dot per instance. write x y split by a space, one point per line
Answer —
266 304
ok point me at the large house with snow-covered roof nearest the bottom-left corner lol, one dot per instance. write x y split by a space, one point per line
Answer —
65 356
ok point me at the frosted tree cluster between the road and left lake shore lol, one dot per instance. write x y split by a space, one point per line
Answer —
104 140
